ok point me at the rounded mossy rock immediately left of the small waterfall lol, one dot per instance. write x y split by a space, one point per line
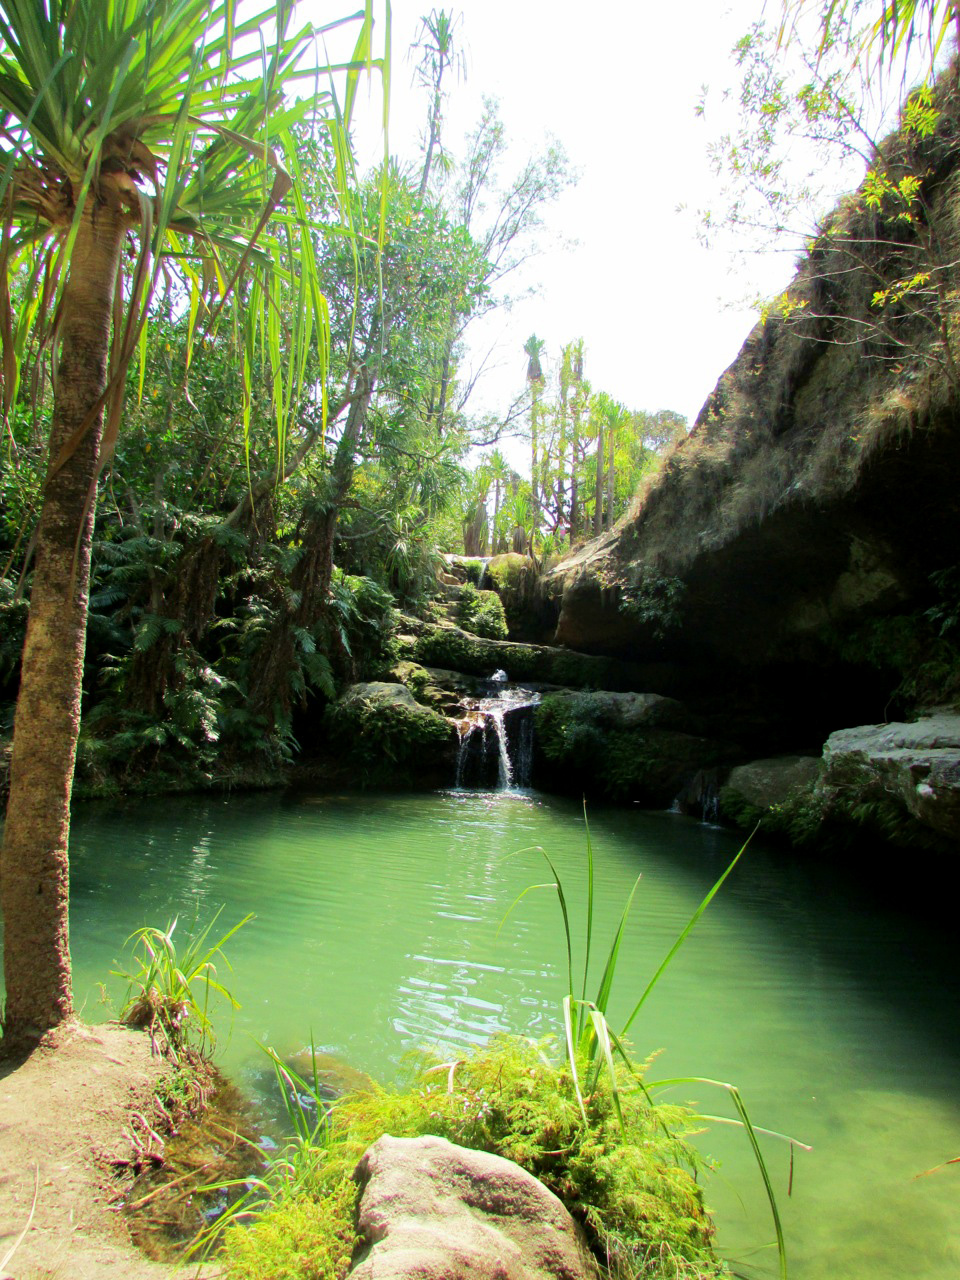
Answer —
382 733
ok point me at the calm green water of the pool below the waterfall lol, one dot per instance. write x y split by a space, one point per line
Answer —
377 931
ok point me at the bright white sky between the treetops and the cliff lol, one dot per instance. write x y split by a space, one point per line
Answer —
616 83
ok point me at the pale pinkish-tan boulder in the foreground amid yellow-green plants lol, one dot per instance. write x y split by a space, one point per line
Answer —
435 1212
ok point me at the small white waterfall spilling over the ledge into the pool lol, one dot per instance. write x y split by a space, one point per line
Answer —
497 738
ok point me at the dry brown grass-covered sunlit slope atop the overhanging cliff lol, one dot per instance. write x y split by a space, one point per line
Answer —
831 378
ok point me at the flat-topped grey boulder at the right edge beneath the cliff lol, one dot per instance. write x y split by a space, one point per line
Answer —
894 776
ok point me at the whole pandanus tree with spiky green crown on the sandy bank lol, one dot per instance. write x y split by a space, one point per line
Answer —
136 138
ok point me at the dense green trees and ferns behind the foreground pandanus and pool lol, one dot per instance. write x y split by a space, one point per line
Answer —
264 519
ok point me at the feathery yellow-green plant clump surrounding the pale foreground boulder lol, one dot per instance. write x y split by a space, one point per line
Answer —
623 1168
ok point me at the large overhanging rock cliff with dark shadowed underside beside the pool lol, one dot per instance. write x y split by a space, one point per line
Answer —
794 565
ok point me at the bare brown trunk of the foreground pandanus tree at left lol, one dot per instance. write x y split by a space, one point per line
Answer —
47 726
